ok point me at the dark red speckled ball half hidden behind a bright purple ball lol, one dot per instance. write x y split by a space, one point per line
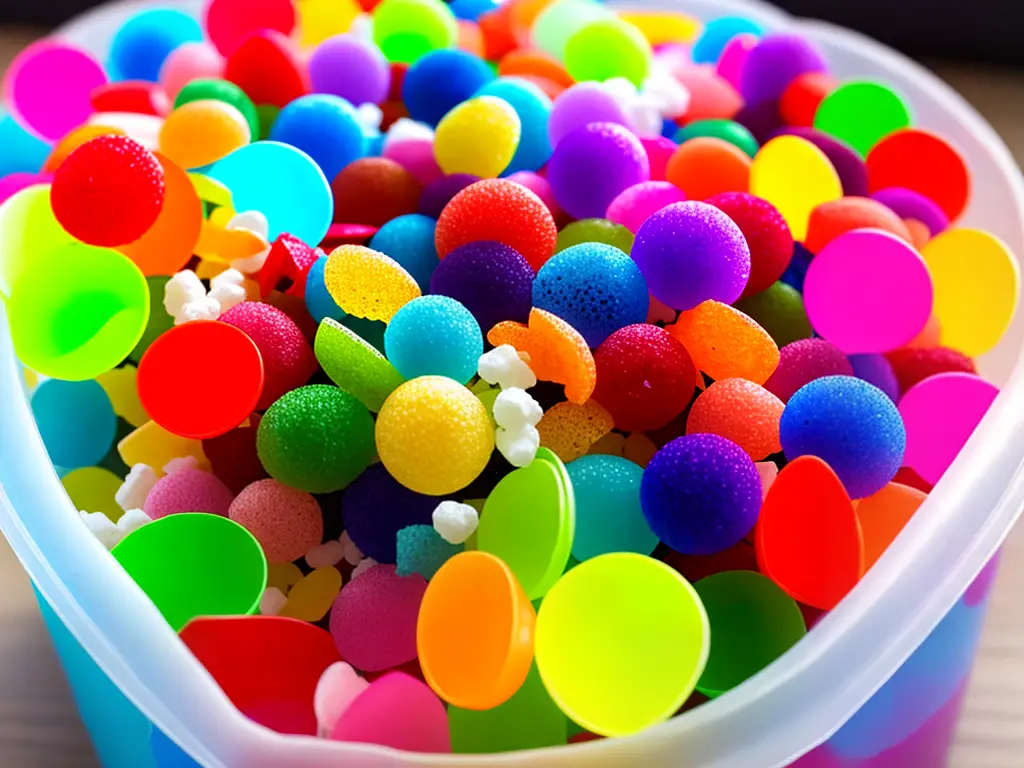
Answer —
766 233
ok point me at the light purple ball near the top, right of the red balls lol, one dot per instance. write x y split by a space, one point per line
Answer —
351 68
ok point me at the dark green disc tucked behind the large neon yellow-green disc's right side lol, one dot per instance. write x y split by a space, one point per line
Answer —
753 623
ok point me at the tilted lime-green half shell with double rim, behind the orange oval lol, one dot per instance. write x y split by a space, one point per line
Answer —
529 522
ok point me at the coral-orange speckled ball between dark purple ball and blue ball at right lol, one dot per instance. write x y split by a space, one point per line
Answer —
741 411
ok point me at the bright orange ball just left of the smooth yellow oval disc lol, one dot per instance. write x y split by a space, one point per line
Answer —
707 166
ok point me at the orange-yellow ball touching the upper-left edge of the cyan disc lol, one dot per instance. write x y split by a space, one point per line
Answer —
202 133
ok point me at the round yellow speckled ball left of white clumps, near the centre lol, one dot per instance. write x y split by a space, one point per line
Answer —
434 436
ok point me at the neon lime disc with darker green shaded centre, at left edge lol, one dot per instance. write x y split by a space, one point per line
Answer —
78 313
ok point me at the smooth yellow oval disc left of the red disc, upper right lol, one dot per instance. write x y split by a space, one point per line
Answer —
796 178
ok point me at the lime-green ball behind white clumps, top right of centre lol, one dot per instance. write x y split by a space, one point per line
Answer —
609 49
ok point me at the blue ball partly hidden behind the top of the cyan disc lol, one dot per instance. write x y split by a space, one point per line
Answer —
325 127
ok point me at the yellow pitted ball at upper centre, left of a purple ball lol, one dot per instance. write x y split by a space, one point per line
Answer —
479 137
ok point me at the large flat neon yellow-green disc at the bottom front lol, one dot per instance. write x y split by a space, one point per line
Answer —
621 643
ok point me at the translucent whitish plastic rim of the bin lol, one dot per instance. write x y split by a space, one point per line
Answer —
782 713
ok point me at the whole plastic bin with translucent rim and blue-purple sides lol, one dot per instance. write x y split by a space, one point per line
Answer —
851 686
